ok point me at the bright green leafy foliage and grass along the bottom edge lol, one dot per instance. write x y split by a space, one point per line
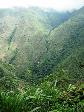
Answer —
45 98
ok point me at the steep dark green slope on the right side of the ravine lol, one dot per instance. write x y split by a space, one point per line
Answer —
66 46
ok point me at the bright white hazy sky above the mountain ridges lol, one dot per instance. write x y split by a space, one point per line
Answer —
59 5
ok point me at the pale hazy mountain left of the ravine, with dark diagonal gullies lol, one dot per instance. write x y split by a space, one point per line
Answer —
24 34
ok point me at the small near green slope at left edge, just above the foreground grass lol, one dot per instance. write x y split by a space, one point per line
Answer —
9 80
